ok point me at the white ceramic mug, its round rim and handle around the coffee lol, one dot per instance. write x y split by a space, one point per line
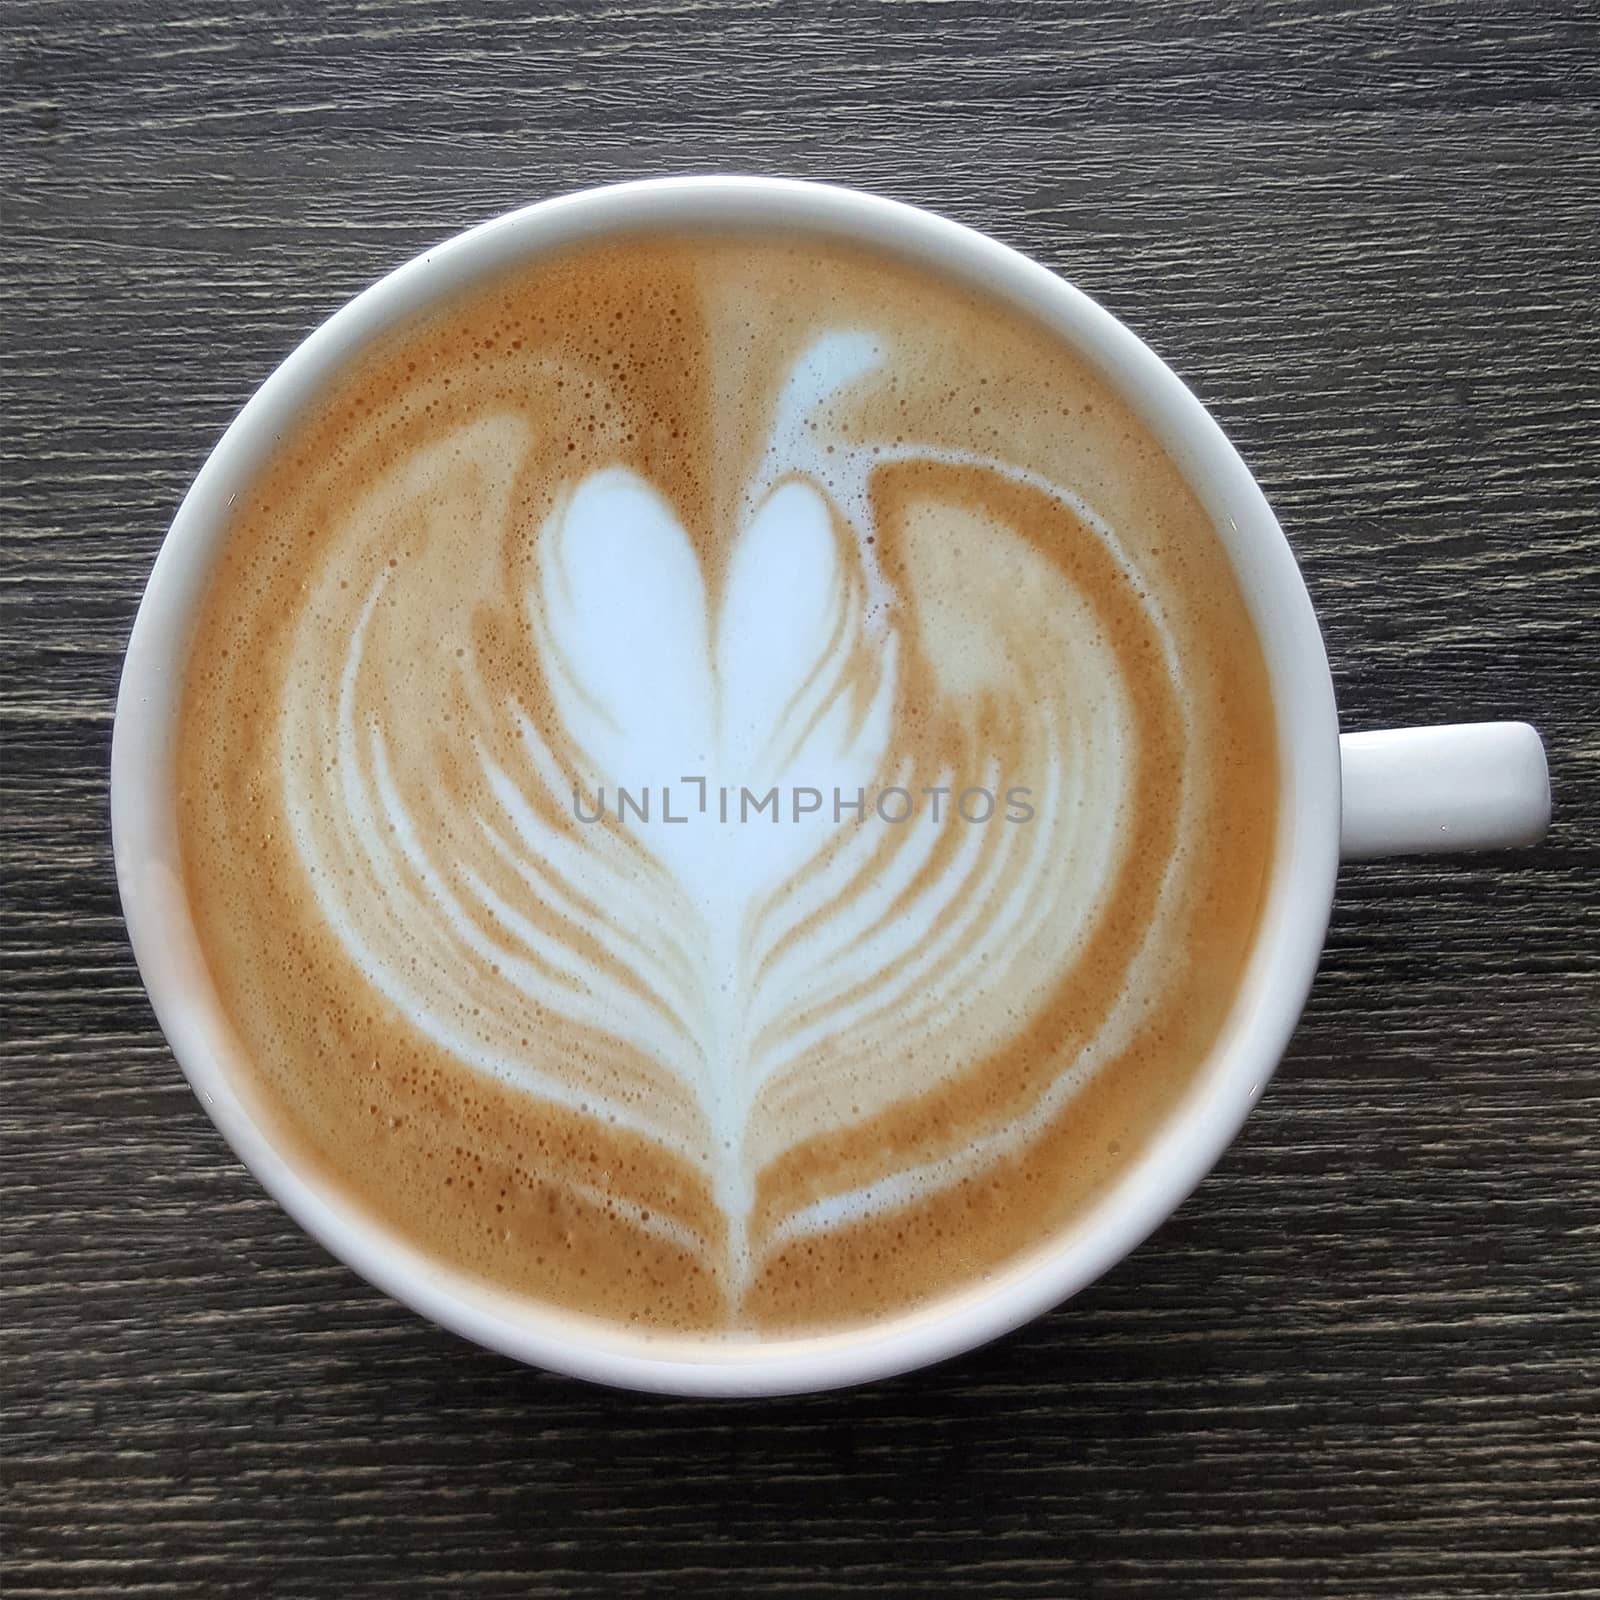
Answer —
1457 788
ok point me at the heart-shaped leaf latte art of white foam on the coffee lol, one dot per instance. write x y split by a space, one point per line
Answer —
817 1015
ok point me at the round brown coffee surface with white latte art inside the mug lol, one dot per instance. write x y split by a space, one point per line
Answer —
542 770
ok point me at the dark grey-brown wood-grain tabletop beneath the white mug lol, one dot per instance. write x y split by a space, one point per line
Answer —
1362 1359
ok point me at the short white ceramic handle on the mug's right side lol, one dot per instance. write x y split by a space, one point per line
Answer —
1465 786
